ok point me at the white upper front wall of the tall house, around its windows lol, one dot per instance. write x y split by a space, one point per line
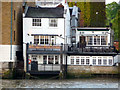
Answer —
44 29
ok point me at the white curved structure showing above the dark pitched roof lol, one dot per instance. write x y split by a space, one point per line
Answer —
48 3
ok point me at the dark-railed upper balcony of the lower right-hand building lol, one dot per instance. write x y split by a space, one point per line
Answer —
74 49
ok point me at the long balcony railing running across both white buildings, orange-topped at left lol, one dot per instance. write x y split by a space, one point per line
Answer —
70 48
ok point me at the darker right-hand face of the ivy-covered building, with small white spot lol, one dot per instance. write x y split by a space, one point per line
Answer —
97 14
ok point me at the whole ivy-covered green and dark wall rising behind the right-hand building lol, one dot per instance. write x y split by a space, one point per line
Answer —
88 13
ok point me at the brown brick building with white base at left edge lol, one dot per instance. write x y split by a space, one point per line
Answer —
10 32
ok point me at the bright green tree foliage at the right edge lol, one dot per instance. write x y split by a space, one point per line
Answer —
113 17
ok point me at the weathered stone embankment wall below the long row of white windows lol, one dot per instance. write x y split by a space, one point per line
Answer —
89 70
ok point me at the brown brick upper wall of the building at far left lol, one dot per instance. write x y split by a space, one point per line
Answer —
16 23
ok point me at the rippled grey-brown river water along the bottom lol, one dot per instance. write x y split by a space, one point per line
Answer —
66 83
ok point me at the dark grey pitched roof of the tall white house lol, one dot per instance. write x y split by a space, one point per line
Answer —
38 12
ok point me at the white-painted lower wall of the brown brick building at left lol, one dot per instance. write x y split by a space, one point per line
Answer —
5 51
